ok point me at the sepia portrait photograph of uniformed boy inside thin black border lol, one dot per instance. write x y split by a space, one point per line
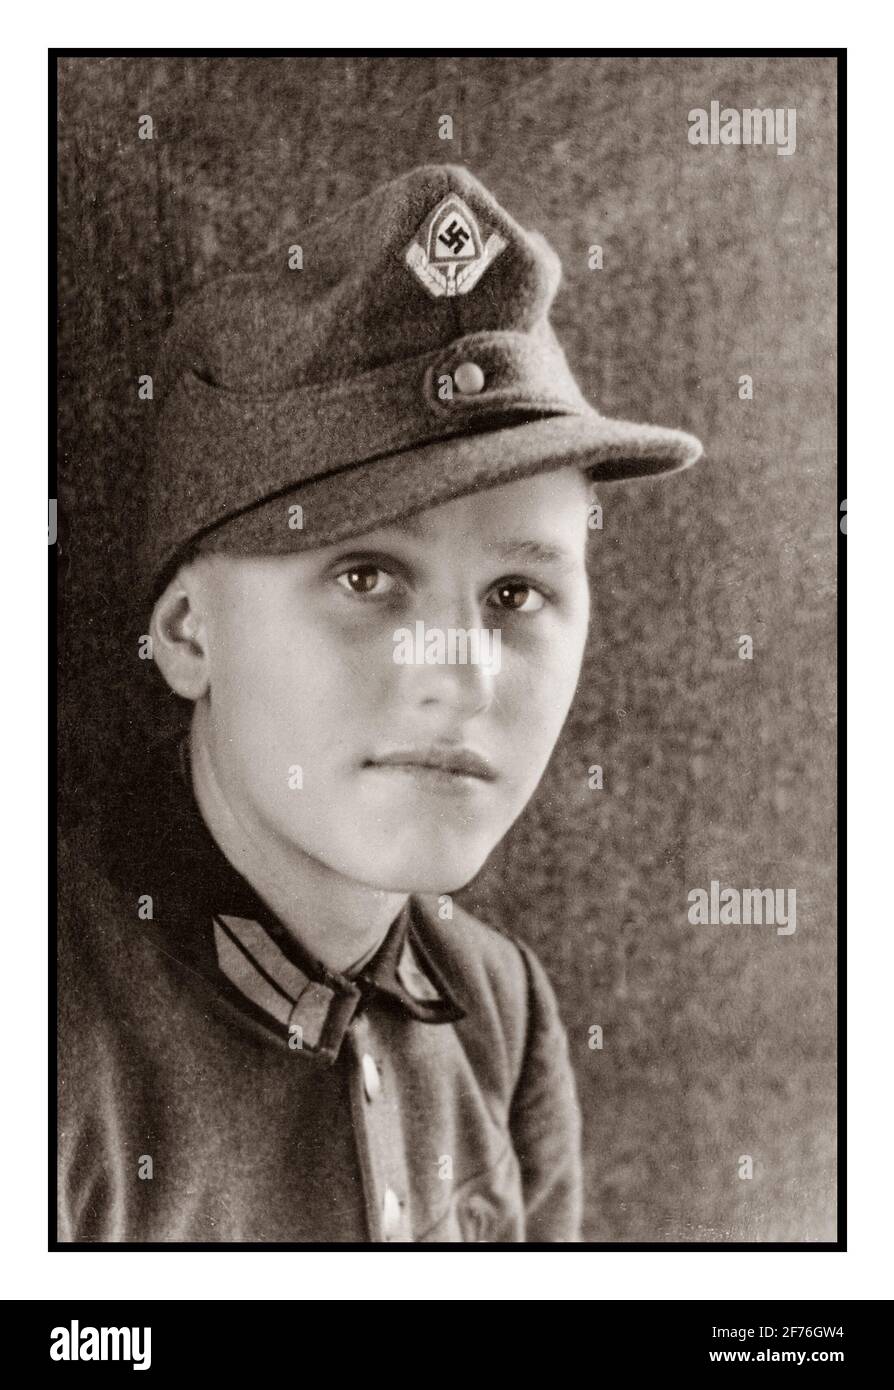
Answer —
447 543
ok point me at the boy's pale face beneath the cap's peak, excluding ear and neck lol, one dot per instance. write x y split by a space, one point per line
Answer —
302 675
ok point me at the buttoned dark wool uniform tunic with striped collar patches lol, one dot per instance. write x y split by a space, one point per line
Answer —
219 1085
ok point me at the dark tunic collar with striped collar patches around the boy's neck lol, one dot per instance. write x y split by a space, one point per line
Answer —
227 932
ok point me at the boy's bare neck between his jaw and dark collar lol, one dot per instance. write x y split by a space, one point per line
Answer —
336 919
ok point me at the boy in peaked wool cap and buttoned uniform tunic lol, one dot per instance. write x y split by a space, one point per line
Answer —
368 572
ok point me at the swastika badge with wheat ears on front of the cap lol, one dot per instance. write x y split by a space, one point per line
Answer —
448 252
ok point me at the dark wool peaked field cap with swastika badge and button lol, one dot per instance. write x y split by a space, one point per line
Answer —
401 357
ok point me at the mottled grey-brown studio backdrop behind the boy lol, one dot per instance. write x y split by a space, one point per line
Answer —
718 1042
